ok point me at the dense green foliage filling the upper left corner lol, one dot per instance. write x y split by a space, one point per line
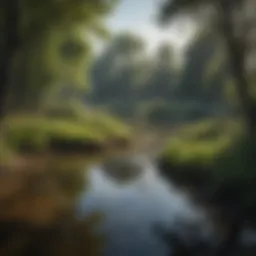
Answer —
47 44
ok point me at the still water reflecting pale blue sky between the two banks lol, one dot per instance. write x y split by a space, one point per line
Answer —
132 209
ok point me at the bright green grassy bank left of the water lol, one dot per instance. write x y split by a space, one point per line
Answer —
93 132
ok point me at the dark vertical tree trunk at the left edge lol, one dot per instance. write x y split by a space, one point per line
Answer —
10 45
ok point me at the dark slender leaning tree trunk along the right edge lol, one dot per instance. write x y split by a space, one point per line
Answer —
236 54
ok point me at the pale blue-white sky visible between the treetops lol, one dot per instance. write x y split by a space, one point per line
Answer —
140 17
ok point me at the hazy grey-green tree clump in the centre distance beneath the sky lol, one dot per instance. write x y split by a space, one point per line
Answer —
125 76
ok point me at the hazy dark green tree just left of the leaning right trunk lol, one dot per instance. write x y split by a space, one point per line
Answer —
205 72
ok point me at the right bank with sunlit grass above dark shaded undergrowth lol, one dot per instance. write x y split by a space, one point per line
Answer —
217 160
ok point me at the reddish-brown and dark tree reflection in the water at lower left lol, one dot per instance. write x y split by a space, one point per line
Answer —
37 214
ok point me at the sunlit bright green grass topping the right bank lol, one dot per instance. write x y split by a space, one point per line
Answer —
201 142
